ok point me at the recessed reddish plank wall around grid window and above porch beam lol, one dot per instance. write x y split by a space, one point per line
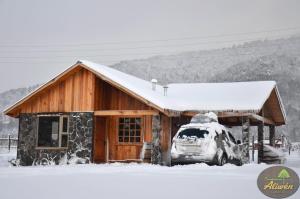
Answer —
108 97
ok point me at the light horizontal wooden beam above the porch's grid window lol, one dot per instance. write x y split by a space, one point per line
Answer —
125 112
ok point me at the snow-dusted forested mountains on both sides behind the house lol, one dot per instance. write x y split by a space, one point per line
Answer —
277 60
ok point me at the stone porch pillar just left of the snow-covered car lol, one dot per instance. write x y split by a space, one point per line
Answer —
156 148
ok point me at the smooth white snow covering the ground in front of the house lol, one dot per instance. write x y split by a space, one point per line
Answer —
134 181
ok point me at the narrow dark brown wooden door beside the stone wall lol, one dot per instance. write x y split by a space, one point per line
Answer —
99 140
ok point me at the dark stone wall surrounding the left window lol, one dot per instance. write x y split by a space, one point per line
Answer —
79 145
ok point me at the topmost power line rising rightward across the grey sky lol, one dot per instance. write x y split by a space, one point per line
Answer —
155 40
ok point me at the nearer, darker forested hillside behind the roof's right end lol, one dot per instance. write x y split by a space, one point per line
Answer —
285 70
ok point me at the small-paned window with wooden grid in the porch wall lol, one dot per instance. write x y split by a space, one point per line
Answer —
130 130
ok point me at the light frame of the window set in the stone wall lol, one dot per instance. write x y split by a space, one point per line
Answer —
60 132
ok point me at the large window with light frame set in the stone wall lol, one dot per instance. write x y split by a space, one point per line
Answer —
53 131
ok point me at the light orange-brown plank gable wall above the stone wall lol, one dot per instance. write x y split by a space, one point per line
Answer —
72 93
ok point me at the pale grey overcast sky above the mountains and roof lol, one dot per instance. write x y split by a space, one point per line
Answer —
41 38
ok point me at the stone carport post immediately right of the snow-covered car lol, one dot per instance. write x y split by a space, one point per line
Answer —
245 139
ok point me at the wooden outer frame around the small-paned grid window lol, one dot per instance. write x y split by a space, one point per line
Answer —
142 131
